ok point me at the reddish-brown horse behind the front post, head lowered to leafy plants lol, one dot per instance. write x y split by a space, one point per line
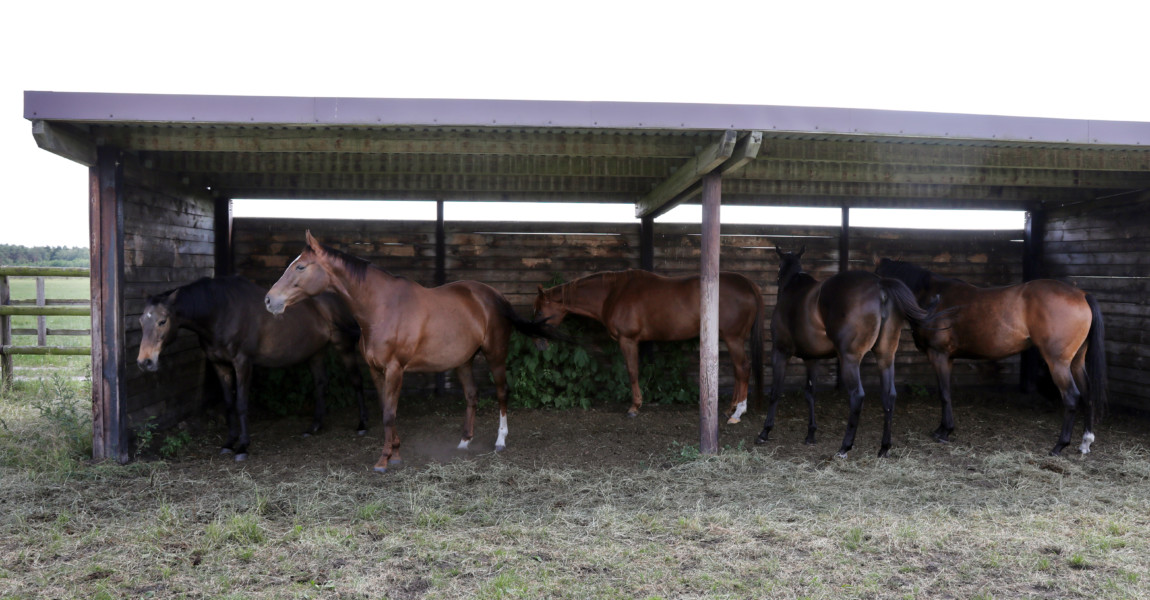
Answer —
639 306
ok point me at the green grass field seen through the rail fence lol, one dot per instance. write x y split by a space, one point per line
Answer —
55 288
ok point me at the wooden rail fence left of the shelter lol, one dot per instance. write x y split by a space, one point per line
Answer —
41 309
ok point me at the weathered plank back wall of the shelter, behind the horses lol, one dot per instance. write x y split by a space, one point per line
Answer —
517 258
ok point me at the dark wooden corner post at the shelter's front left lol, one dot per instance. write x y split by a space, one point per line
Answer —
106 214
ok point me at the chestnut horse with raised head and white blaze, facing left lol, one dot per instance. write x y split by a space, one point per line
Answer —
411 328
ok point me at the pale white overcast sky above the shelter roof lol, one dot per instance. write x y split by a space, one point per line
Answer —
1075 60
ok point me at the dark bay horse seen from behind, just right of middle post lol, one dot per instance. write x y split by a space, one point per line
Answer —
847 316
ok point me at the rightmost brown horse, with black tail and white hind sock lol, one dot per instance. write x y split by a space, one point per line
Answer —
1062 321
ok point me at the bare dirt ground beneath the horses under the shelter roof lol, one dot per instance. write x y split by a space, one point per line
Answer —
604 437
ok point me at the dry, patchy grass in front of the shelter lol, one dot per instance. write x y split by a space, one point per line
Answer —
949 524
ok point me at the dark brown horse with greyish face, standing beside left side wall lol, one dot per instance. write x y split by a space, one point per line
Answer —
237 334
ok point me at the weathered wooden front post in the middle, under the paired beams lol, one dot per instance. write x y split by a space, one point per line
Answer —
709 317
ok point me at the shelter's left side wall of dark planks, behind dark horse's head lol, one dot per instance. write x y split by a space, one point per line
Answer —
168 242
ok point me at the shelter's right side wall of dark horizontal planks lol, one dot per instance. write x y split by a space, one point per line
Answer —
1105 249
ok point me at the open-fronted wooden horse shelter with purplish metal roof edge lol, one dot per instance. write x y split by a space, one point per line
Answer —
164 171
